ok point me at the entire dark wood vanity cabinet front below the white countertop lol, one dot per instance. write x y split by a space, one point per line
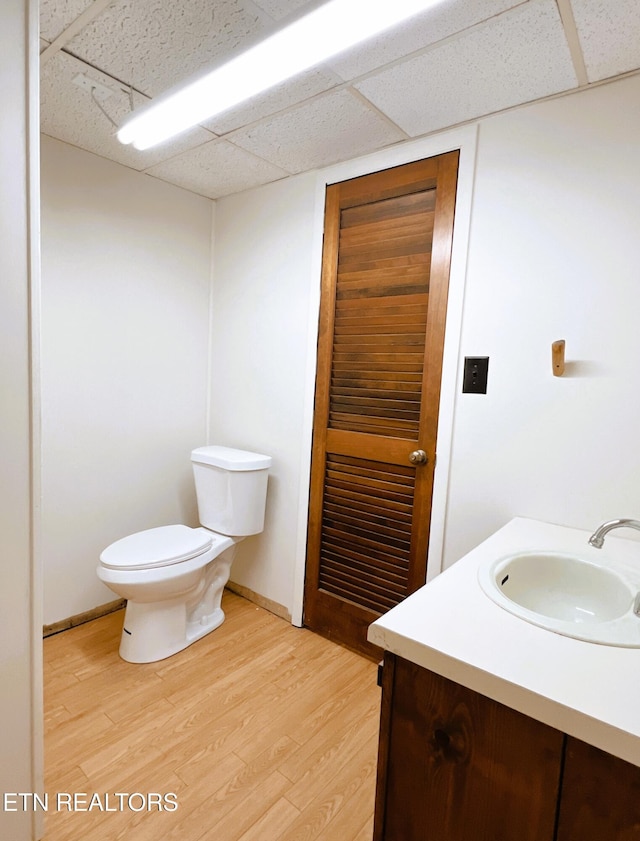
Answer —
454 765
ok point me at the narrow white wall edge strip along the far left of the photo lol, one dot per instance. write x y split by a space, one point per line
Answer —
20 615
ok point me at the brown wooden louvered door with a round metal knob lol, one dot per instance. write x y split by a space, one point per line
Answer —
387 248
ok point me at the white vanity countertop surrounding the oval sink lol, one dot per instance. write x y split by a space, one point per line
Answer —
451 627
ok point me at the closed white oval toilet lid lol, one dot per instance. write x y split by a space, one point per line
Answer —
156 548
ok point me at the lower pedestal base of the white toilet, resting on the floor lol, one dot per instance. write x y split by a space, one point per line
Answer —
156 631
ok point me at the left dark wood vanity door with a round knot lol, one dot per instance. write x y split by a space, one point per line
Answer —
461 767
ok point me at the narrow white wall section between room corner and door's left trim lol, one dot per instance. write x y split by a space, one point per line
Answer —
264 277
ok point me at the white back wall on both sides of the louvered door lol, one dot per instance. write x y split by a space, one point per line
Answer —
553 254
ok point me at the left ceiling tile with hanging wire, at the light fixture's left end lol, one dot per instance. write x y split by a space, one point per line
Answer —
68 113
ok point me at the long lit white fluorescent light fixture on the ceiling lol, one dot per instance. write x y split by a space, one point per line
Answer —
323 33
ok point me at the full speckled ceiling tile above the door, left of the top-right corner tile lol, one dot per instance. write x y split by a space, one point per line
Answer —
520 57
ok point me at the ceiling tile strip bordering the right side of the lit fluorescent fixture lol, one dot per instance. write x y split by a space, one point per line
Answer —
419 32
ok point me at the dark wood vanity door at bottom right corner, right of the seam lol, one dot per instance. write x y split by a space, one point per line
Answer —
600 796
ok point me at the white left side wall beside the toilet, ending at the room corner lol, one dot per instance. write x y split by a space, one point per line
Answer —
126 269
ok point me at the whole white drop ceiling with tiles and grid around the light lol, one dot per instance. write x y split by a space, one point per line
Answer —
461 60
